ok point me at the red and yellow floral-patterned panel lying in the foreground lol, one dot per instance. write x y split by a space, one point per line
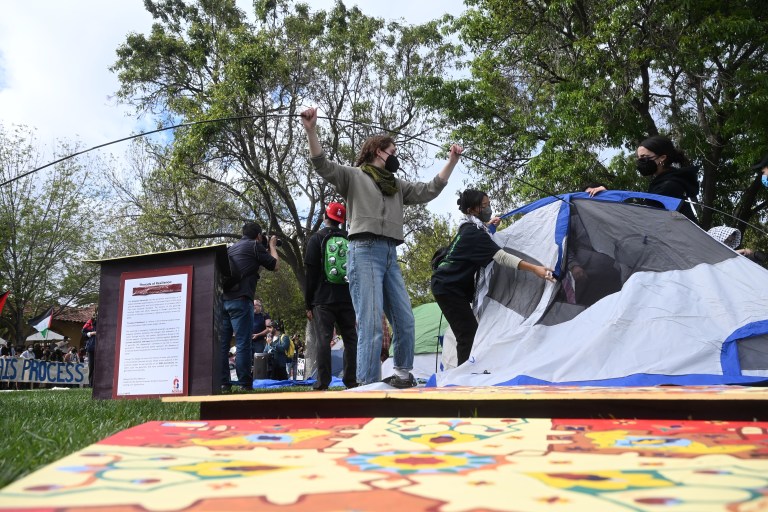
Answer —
410 464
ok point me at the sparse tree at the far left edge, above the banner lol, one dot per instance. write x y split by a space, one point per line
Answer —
50 224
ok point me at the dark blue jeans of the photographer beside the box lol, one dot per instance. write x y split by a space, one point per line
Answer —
237 318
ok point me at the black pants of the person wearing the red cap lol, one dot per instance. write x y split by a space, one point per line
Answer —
324 317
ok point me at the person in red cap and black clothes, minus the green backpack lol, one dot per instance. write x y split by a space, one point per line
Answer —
329 304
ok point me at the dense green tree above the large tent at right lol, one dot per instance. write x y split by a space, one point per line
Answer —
561 93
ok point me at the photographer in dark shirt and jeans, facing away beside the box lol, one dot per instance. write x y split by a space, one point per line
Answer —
246 256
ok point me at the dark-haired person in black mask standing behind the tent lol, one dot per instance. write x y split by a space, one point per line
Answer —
671 173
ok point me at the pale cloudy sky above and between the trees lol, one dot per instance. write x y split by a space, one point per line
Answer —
55 57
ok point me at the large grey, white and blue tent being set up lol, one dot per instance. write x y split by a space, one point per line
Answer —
644 297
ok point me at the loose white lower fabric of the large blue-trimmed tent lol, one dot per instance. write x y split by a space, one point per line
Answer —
692 312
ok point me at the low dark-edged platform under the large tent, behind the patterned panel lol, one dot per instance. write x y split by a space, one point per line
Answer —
734 403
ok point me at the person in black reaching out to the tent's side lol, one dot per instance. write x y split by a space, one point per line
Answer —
453 281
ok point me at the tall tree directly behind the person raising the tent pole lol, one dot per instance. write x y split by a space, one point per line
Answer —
204 61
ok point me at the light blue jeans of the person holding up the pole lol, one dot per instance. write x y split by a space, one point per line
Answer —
377 286
